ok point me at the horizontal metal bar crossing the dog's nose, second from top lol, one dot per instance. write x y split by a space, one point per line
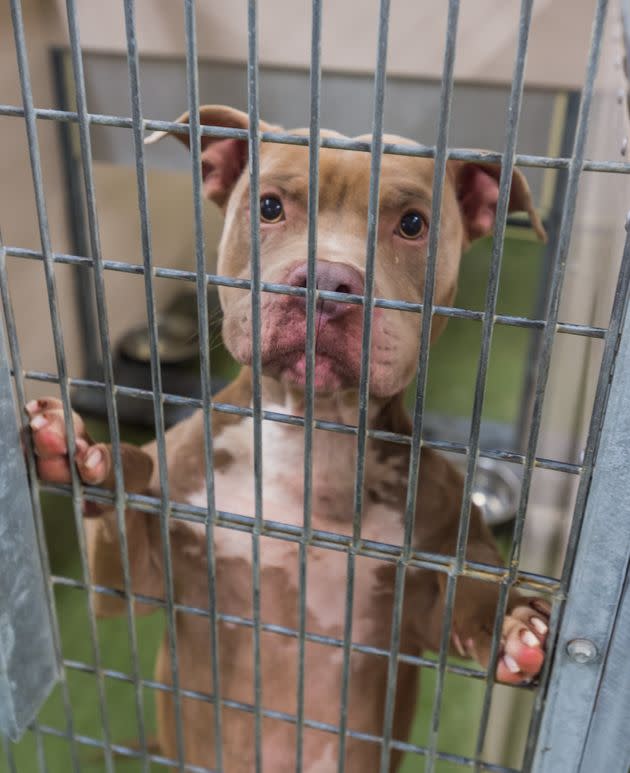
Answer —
281 289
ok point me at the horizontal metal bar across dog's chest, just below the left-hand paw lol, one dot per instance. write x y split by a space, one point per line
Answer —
331 540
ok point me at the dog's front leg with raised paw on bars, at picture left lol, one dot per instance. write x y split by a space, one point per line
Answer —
95 468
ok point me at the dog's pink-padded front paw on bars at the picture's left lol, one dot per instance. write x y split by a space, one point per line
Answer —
51 445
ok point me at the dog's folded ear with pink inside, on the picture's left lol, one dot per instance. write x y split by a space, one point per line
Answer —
222 160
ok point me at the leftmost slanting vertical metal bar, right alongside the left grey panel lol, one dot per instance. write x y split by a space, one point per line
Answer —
18 380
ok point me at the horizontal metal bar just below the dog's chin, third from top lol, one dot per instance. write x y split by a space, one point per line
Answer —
446 446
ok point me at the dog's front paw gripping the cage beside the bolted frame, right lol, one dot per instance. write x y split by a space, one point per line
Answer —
523 642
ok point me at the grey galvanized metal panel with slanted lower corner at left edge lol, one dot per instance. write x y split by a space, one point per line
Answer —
28 667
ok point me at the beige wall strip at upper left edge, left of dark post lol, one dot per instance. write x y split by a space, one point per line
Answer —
18 218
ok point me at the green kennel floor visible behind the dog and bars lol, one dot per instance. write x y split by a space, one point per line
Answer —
453 365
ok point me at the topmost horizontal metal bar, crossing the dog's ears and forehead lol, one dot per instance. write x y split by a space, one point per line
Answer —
400 149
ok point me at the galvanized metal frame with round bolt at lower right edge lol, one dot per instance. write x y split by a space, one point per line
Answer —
594 596
